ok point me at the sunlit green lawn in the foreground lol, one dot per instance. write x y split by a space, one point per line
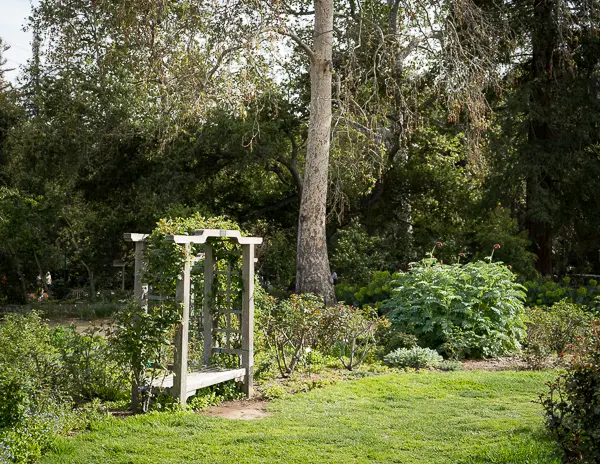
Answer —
428 417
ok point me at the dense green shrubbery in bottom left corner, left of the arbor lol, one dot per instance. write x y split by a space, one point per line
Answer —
41 369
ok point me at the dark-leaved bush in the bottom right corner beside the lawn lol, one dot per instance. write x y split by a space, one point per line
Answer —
572 406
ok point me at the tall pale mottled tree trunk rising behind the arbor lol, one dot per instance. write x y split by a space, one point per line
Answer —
312 268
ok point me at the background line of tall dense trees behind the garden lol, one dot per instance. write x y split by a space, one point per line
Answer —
468 122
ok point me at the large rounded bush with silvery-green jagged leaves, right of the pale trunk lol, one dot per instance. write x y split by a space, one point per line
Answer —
472 310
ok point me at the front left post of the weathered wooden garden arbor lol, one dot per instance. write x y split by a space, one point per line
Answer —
182 298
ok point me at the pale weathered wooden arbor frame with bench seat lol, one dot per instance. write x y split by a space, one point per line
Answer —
181 383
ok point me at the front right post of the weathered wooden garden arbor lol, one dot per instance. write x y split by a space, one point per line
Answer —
248 318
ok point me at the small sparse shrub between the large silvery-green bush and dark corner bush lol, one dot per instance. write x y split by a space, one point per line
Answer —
551 330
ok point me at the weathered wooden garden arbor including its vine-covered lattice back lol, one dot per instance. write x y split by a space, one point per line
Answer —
225 319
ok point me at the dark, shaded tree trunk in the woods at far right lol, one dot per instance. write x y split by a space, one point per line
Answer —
545 67
